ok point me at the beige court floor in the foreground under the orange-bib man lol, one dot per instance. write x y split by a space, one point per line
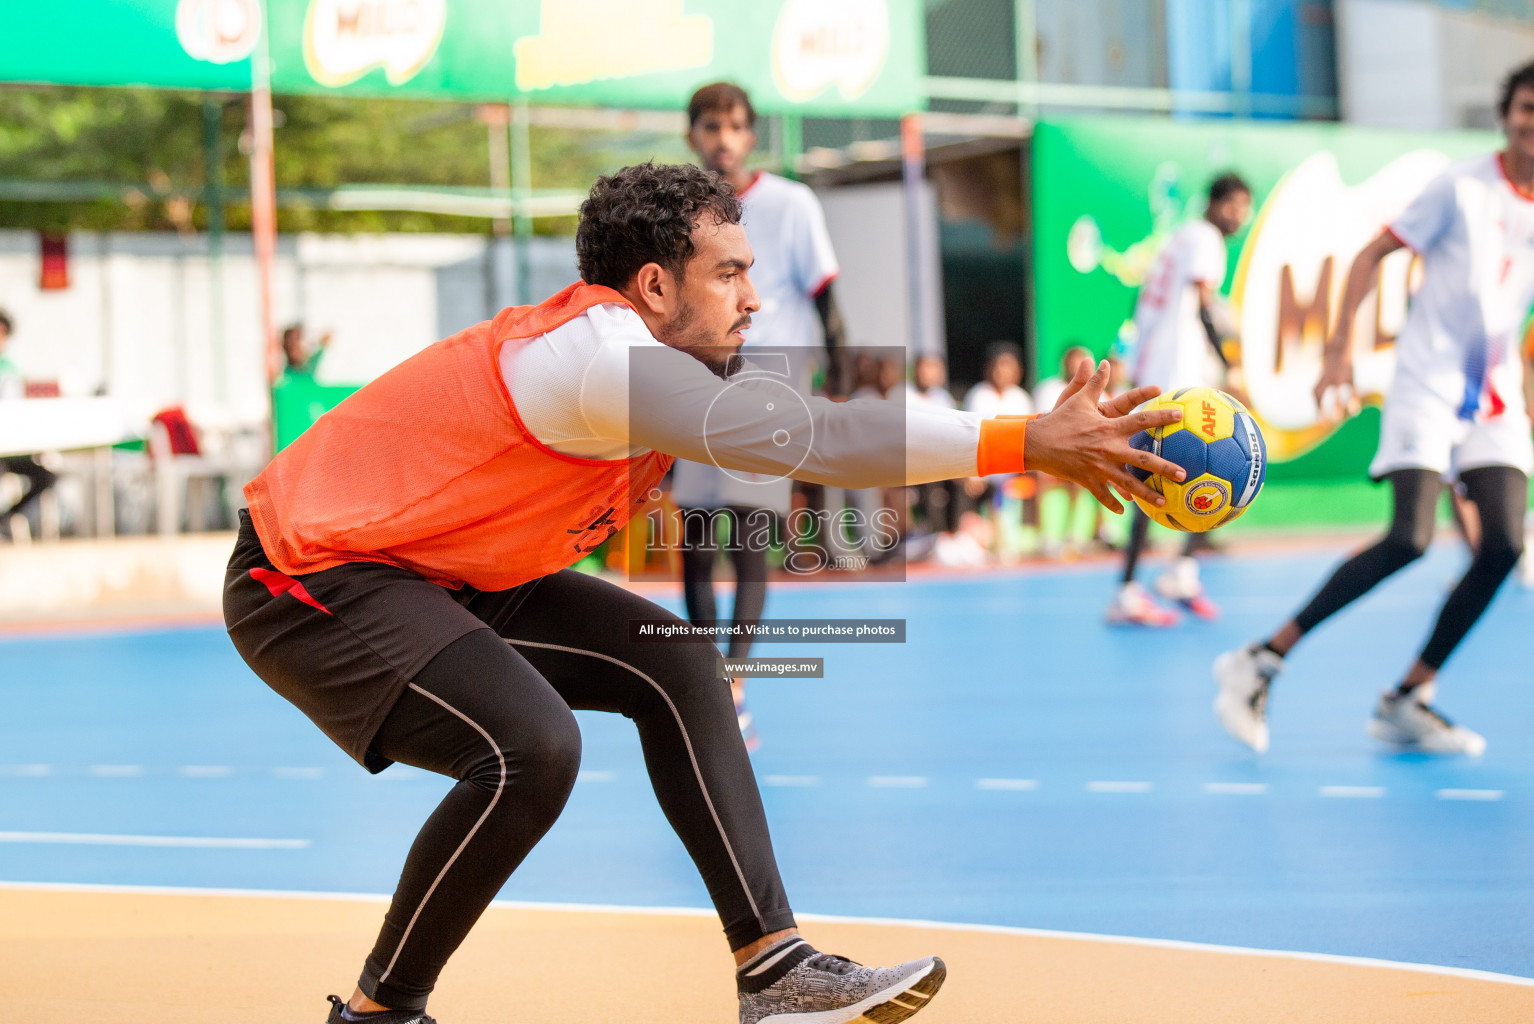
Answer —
73 957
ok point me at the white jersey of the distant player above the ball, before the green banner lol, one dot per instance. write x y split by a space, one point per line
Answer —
1174 349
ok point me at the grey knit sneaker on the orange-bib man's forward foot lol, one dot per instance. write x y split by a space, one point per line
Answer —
826 990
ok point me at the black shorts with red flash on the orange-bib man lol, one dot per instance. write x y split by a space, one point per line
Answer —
341 645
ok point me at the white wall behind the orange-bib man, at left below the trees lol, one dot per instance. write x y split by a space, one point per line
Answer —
139 317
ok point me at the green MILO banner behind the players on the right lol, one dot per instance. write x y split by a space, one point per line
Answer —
1110 191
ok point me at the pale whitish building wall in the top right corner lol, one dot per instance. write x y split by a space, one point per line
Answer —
1415 65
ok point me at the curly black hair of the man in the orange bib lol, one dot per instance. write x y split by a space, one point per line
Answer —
645 215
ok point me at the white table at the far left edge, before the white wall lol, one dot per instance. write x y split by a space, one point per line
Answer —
61 425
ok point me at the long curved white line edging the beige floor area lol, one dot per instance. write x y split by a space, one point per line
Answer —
829 919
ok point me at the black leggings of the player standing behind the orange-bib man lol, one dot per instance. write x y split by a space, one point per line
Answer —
748 550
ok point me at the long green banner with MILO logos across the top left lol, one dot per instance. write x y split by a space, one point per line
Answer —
832 57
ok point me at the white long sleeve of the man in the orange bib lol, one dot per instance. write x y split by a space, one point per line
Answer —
601 387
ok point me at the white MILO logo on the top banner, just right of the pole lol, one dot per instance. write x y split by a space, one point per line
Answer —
347 39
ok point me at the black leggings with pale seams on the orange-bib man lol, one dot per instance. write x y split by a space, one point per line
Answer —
496 715
